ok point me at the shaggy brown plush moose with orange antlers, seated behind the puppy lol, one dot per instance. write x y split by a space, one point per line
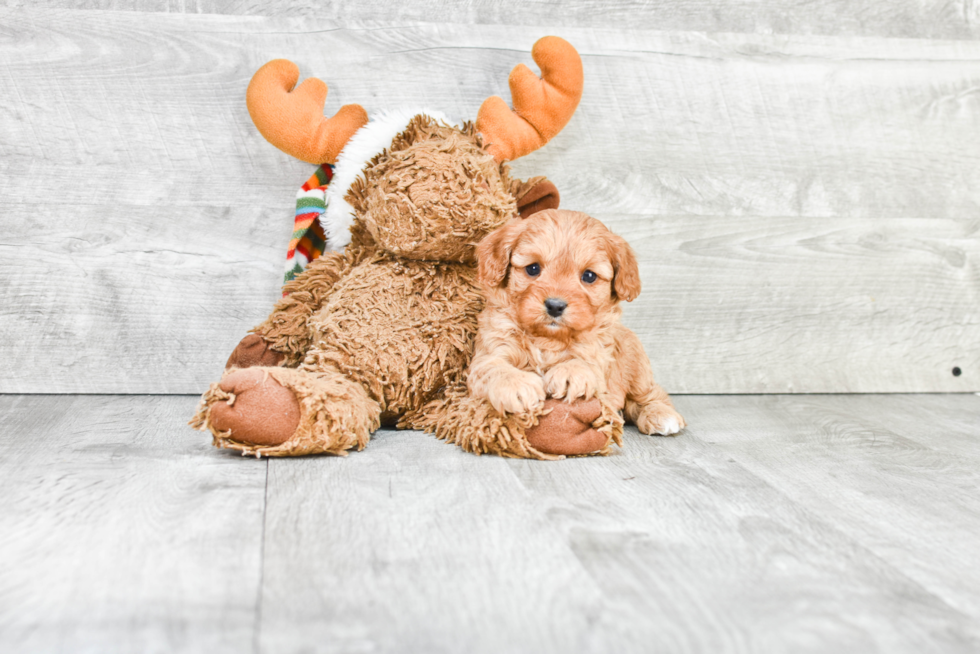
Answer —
382 331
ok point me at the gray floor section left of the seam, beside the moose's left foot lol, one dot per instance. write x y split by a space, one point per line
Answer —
122 531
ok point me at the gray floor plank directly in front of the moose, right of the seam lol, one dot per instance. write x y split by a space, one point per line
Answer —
415 547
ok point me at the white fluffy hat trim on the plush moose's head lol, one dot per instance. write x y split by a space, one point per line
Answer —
367 142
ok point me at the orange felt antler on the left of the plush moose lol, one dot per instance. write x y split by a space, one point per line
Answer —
292 119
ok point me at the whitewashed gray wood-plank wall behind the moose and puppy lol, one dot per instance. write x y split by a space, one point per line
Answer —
801 179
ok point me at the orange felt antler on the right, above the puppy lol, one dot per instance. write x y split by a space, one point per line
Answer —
542 105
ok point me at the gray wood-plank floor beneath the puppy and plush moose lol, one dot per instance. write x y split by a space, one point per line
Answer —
775 523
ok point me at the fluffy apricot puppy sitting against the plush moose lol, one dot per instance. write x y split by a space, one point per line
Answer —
553 283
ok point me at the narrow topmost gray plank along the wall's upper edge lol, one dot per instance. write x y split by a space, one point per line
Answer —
937 19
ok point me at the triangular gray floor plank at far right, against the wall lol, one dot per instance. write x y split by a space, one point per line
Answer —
904 457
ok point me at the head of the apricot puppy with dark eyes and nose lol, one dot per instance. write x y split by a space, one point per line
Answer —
561 272
